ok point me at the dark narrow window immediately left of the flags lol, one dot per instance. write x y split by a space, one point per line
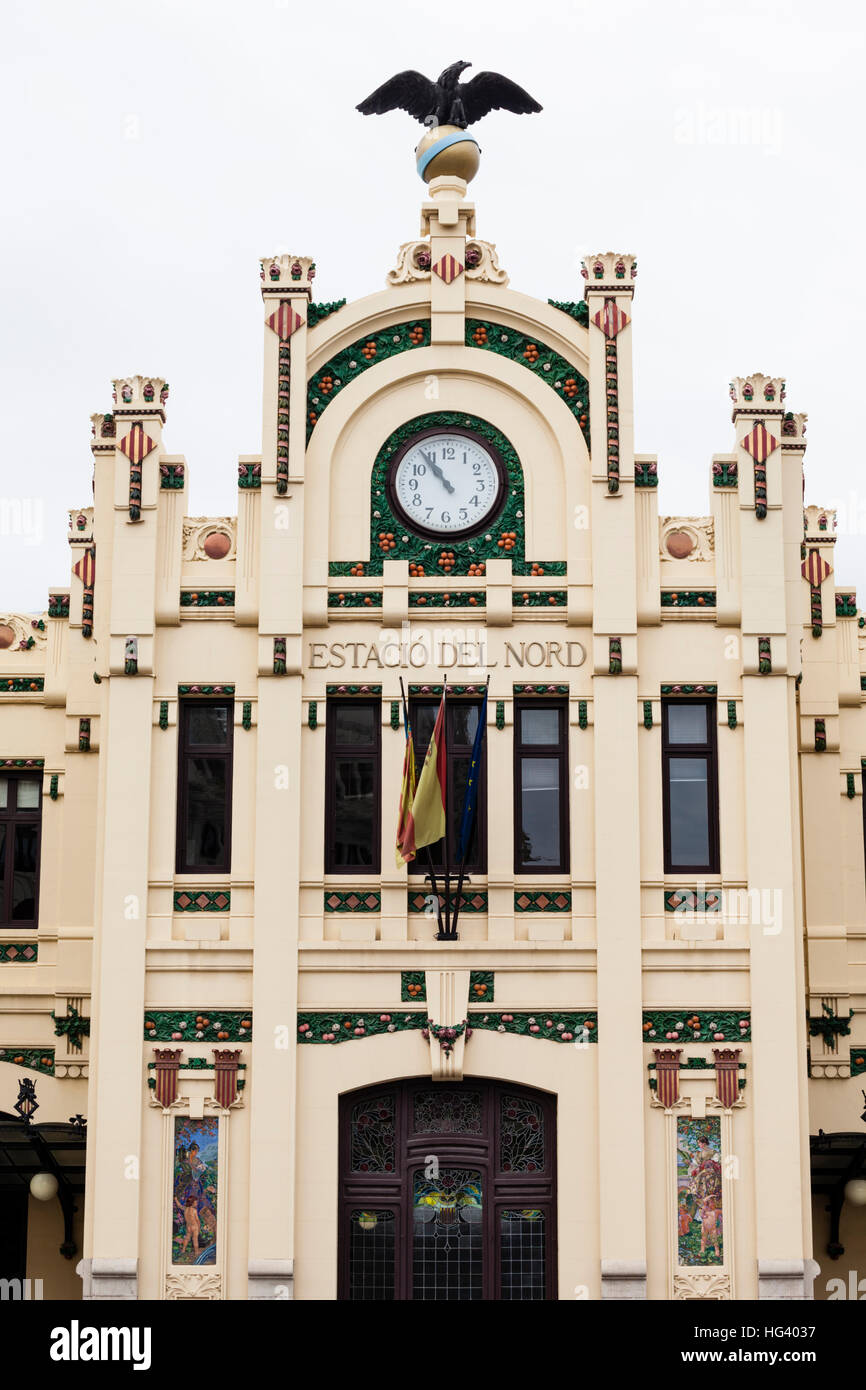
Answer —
354 787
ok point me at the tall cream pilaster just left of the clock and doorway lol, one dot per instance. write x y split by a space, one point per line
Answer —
279 794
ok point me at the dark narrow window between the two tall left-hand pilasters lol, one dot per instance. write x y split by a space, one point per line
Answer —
205 786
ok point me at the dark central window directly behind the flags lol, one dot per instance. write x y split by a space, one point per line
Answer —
461 728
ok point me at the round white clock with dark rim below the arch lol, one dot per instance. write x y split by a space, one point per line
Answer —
447 484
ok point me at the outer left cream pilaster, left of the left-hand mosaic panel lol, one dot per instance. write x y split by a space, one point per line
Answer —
126 532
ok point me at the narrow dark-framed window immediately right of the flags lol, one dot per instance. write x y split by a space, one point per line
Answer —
541 787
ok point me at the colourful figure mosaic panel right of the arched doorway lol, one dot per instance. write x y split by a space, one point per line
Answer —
700 1236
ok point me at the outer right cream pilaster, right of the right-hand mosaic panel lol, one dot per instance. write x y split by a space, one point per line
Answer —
772 801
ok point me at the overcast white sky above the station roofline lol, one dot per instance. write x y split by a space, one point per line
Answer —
154 152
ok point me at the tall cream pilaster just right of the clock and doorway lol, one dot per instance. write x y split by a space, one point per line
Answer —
618 861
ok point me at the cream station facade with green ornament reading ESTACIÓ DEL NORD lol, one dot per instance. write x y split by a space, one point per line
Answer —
259 1072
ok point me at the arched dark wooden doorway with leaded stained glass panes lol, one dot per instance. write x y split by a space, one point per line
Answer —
448 1192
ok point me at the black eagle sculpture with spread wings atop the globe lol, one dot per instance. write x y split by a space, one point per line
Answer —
448 101
